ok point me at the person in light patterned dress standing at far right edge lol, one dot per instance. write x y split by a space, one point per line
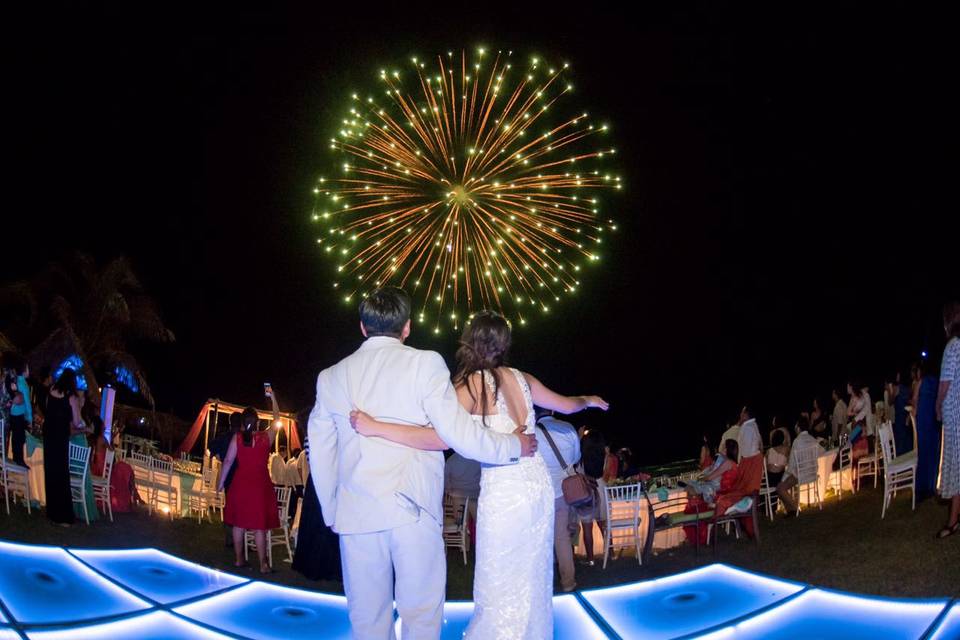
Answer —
948 411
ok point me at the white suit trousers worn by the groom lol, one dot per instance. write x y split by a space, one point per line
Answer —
407 565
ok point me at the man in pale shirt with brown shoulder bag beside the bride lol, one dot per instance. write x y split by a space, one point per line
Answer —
564 436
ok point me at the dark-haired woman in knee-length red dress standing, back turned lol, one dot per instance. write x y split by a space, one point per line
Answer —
251 501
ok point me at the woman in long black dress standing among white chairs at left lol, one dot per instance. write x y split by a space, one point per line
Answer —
62 415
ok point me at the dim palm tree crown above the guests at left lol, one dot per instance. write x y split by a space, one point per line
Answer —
92 311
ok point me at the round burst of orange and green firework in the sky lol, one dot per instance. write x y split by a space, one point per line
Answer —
459 187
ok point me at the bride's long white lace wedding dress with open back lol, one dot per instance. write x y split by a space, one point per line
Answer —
513 582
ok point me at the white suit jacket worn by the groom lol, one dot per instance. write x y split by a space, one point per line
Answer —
370 484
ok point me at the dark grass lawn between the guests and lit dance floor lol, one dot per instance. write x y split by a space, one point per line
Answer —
846 546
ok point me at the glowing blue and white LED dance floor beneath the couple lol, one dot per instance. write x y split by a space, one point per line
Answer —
50 593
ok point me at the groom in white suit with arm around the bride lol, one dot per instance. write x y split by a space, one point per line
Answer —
385 499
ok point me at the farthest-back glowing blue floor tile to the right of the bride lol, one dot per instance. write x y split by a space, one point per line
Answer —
686 603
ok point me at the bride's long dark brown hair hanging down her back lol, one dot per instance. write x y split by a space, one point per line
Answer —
483 347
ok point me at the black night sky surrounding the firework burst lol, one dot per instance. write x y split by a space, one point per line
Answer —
789 216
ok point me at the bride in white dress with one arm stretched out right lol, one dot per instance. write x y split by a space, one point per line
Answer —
513 582
